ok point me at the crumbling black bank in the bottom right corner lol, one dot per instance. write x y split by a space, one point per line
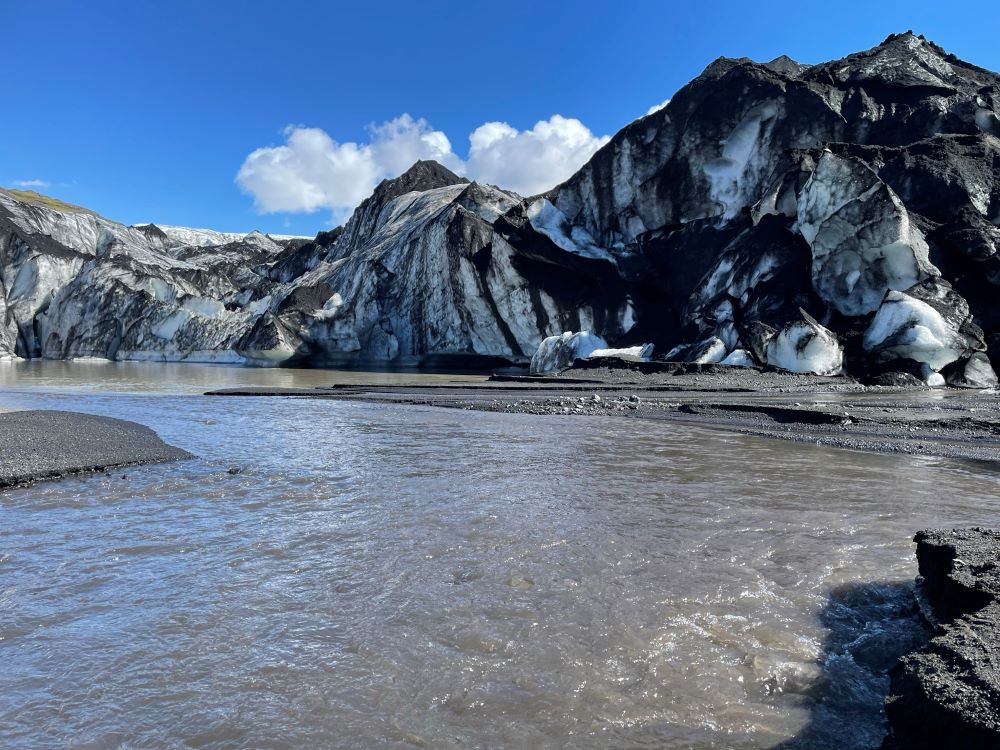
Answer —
947 694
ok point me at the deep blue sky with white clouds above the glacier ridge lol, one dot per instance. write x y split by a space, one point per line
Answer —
149 111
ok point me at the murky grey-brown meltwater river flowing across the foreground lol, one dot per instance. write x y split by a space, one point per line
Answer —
385 576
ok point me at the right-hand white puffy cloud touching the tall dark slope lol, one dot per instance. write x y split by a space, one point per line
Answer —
530 161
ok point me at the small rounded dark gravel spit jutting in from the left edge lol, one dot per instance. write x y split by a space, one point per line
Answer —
39 445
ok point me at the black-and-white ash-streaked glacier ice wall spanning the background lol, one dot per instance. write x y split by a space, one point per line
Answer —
835 217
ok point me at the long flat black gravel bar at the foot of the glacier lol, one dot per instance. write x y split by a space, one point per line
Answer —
828 411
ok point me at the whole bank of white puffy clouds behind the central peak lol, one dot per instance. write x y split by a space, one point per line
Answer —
311 171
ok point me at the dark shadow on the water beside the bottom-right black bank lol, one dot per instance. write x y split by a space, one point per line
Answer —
869 626
